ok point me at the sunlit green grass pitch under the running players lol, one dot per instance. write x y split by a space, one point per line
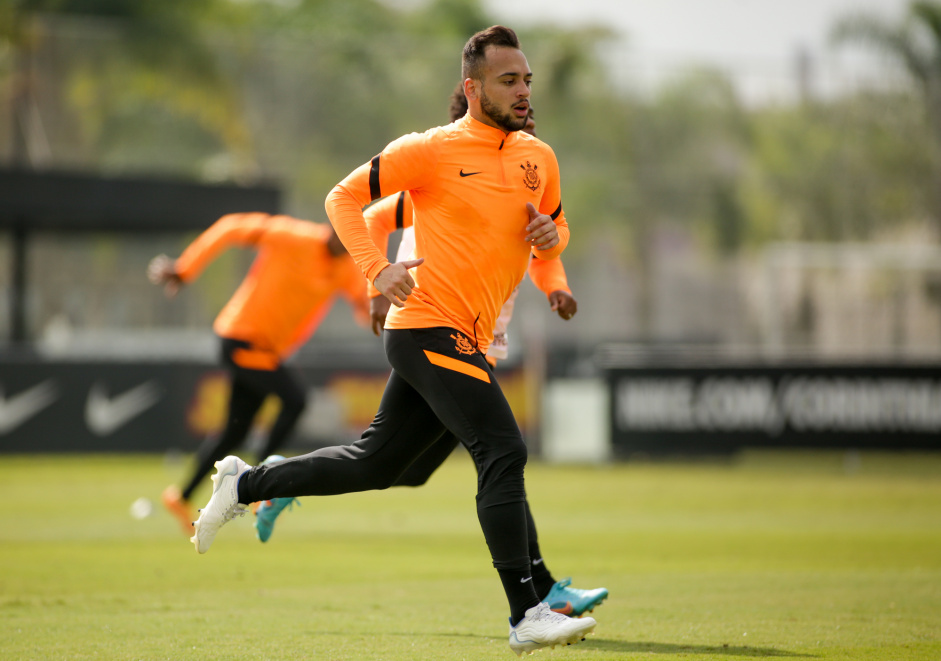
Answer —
781 555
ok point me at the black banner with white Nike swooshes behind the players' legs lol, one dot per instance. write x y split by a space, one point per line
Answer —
52 406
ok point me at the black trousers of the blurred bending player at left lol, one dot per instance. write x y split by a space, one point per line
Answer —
249 390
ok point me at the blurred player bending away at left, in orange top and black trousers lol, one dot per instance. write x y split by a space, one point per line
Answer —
300 268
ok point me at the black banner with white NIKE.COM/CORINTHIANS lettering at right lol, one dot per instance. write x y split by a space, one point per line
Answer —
702 410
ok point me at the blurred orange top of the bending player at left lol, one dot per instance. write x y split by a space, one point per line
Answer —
287 291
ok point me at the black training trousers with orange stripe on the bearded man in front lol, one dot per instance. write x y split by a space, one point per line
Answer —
439 384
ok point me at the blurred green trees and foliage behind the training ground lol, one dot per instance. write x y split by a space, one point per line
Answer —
299 92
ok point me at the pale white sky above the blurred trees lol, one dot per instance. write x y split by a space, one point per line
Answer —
755 41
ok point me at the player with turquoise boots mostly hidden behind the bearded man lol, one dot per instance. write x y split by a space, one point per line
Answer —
395 212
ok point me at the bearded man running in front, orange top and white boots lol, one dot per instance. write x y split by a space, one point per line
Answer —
486 197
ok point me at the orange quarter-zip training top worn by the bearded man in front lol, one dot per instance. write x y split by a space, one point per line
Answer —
469 184
